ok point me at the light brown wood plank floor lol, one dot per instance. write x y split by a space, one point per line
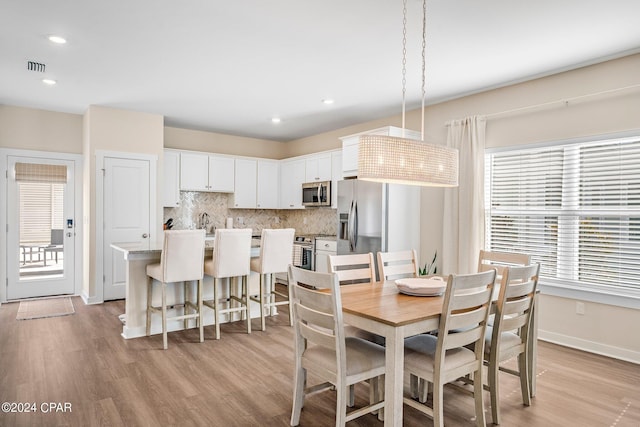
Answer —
246 380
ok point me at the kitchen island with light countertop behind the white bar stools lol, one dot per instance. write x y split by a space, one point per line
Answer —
137 256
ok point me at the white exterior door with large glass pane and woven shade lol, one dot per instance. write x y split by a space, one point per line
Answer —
40 227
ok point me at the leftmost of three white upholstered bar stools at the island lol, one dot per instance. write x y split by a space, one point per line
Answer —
181 260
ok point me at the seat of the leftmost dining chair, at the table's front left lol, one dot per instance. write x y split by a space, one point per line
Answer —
362 356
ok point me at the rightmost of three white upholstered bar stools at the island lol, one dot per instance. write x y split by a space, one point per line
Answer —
276 249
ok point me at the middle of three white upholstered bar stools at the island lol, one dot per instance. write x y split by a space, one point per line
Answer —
231 256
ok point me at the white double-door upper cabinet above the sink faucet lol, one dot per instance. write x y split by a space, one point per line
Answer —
202 172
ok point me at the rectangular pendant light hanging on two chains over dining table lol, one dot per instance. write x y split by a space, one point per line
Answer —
399 160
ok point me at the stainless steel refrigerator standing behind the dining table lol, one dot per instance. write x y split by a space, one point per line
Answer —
375 217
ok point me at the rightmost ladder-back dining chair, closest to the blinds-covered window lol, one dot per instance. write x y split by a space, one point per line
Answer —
509 335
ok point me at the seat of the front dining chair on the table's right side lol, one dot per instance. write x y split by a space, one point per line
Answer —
419 354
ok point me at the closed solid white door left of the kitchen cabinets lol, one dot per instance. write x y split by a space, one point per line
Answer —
126 192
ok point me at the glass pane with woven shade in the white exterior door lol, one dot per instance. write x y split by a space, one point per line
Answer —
41 191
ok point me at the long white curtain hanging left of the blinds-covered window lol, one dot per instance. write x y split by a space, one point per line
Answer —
463 223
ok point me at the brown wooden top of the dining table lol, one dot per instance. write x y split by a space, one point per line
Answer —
382 302
